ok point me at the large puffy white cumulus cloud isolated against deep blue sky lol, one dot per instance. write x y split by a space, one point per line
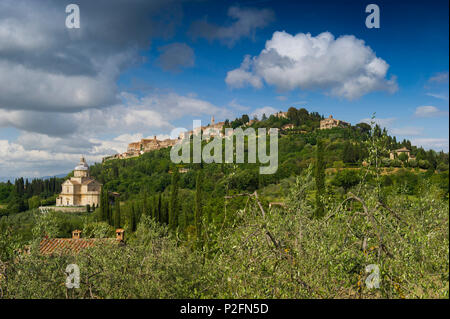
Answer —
344 67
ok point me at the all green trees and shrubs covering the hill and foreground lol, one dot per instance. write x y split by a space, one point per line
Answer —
210 232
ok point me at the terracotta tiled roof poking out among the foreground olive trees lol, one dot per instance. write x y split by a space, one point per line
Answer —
49 246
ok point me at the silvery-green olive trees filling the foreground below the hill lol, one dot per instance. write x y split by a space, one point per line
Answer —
276 253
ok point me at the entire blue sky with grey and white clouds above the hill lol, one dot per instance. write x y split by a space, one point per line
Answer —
141 68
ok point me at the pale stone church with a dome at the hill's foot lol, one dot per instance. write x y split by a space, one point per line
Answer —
81 189
